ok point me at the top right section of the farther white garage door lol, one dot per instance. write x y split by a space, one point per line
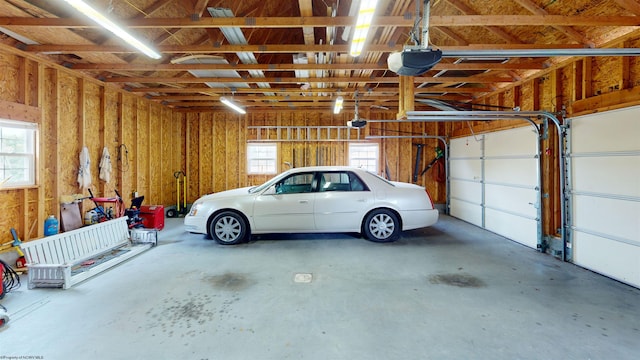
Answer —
515 142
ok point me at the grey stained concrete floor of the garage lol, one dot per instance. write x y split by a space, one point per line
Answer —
451 291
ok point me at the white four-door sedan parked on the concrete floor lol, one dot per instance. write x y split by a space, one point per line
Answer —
314 200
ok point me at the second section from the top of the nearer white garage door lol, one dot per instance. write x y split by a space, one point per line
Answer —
619 175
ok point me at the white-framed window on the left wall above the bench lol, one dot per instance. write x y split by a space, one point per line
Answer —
17 153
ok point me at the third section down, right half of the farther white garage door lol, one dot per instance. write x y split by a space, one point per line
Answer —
509 199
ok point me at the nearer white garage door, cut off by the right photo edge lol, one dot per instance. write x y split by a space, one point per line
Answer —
604 164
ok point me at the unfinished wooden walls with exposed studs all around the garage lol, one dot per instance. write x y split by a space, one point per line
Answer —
210 147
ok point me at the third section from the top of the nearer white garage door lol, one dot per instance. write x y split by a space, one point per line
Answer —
613 217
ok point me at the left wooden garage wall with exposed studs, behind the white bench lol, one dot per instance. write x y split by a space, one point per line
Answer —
74 111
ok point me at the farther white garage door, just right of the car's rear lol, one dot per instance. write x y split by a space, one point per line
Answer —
495 182
